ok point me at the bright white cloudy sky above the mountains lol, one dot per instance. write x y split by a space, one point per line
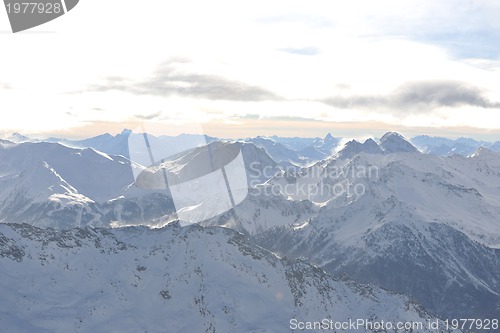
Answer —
238 68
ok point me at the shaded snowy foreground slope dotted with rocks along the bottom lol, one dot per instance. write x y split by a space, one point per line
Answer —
174 279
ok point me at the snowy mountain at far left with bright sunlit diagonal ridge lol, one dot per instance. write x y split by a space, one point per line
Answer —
39 181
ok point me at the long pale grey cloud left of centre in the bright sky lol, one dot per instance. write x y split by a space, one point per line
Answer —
169 80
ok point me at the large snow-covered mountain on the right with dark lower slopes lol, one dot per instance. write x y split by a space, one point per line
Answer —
419 224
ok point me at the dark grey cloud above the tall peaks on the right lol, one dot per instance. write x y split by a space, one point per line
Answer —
421 95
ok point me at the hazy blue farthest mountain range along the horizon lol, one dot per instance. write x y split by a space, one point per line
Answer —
282 149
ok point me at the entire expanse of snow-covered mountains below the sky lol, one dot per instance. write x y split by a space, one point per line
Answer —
379 212
